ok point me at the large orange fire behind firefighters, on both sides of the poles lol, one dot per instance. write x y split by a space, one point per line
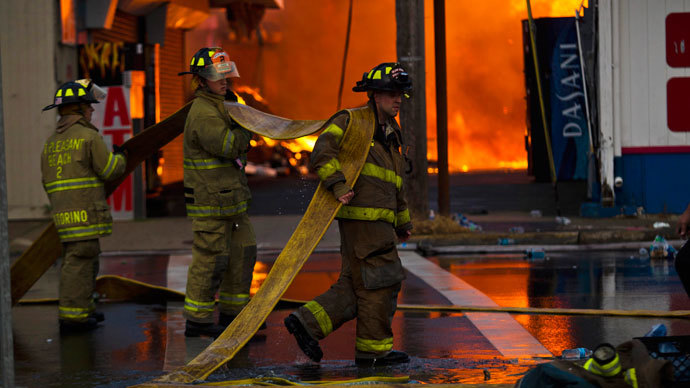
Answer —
297 67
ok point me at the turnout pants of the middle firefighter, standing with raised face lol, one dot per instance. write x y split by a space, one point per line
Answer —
223 258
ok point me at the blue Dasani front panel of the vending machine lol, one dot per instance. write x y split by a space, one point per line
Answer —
569 130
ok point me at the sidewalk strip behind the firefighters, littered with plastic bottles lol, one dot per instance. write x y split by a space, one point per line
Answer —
496 201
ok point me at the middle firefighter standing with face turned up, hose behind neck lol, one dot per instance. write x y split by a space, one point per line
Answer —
217 198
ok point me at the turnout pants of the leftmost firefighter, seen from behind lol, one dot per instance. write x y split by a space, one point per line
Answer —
78 279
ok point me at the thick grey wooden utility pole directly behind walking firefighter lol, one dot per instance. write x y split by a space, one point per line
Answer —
409 15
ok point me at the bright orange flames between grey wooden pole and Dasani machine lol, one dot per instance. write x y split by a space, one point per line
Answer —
486 105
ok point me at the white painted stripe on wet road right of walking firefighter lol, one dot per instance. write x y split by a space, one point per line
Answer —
504 332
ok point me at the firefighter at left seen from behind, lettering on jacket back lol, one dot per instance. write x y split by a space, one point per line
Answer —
75 163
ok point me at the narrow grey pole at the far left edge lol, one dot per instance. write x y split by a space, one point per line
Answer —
6 343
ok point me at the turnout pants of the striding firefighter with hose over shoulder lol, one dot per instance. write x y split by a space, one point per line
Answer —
367 289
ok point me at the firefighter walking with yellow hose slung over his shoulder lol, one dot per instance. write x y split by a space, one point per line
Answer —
373 214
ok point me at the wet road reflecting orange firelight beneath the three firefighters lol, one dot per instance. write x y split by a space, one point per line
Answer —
138 342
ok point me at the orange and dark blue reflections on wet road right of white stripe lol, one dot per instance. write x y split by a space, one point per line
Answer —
598 280
